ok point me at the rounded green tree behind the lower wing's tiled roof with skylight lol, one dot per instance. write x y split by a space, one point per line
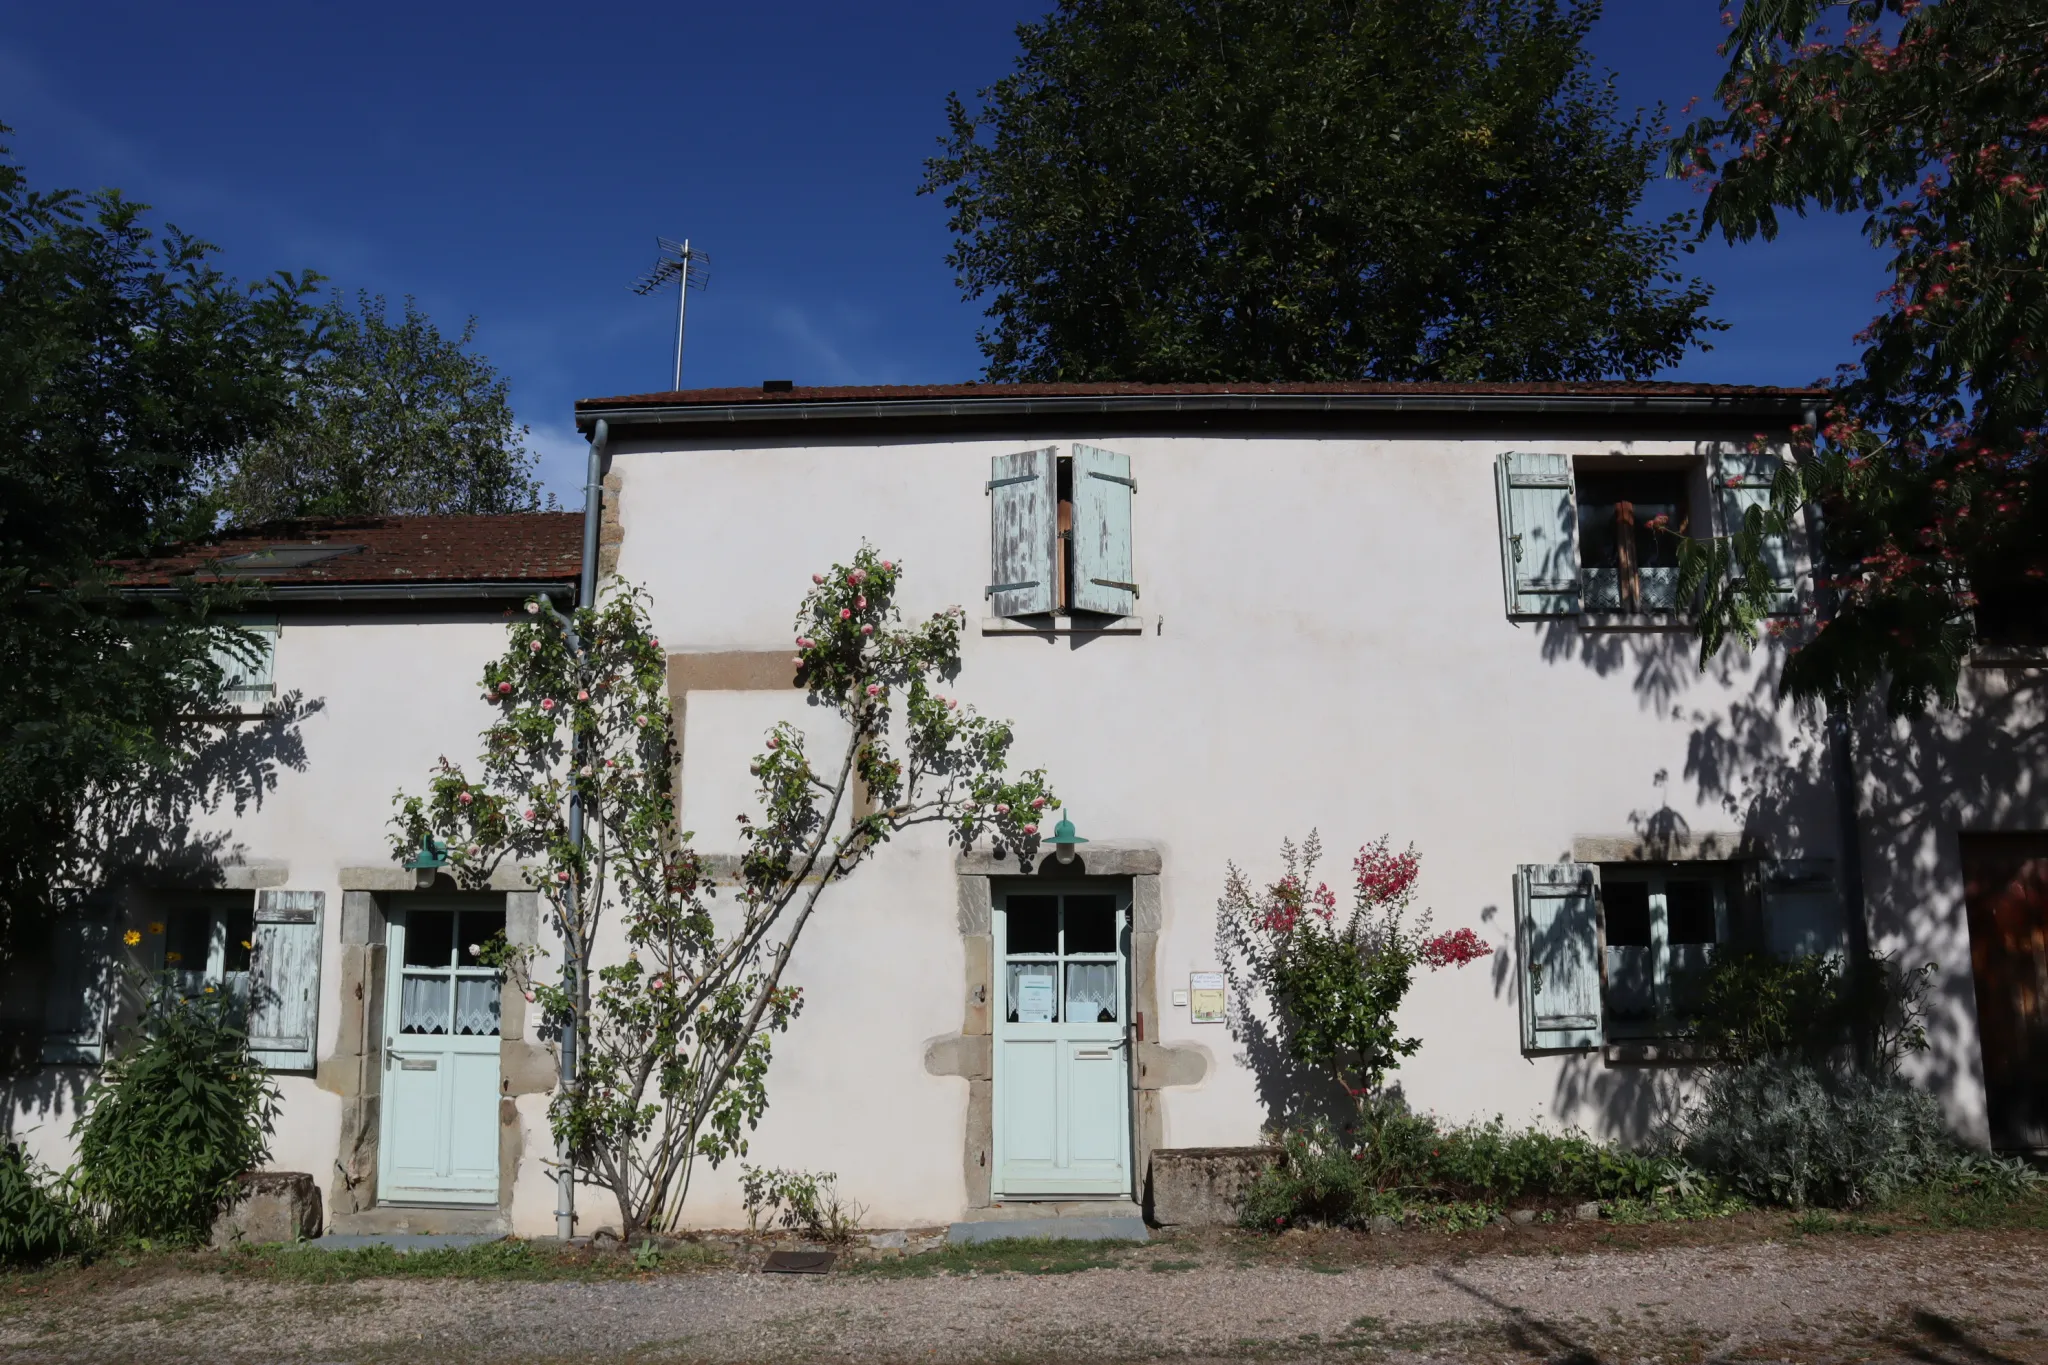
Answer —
390 419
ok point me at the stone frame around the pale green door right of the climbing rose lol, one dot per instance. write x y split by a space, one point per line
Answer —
972 1053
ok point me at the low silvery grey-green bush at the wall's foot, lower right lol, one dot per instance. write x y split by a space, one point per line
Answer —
1785 1131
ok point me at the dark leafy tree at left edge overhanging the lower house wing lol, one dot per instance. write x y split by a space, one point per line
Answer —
130 376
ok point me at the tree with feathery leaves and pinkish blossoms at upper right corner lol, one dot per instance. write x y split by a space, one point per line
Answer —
1926 470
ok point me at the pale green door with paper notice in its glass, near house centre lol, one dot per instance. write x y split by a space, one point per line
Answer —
1062 1045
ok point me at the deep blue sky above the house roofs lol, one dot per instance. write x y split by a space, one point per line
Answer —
517 163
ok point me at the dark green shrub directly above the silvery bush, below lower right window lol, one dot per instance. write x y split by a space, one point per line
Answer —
1811 1008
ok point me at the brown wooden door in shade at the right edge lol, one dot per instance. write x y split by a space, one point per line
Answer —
2006 889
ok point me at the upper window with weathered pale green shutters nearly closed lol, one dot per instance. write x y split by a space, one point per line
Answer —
1060 533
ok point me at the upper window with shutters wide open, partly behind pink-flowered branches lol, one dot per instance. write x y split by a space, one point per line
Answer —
1605 535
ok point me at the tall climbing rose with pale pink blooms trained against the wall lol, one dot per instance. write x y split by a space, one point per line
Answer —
673 1043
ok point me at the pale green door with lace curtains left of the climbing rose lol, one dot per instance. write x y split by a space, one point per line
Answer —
439 1141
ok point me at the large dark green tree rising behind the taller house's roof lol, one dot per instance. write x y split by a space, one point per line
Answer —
1312 191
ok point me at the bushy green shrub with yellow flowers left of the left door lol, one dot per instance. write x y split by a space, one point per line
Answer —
179 1114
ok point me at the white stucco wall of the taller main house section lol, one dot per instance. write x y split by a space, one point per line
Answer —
1326 648
